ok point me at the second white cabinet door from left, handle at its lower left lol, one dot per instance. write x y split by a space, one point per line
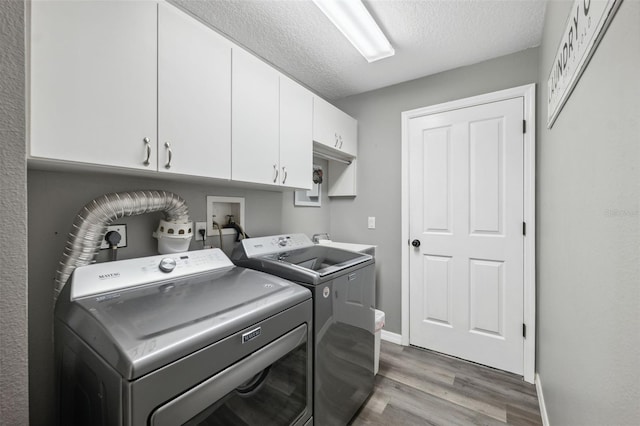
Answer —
194 97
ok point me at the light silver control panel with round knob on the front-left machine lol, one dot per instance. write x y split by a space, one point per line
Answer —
106 277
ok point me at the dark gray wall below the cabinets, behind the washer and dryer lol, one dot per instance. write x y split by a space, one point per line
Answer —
54 200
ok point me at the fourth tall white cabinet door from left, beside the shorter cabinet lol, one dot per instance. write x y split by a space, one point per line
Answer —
296 143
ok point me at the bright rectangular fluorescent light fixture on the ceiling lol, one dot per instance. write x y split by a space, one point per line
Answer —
358 26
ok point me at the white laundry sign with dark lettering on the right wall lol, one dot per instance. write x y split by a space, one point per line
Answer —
587 23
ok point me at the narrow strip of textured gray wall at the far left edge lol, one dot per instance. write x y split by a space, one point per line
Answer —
14 408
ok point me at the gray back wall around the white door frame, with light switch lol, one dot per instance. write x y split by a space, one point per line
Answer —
379 144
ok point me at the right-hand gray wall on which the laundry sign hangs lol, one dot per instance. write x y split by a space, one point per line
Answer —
588 231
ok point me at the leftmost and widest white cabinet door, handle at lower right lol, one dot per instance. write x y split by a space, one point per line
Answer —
93 82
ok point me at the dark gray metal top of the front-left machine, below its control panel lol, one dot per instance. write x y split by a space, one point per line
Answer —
137 330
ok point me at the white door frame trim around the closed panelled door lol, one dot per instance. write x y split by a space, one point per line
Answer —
529 302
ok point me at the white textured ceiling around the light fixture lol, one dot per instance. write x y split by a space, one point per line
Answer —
429 36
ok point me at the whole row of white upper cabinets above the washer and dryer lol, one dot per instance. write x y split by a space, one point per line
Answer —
142 85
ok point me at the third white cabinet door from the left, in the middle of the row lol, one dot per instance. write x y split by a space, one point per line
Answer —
254 118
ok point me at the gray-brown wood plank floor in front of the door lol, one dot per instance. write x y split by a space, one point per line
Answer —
420 387
